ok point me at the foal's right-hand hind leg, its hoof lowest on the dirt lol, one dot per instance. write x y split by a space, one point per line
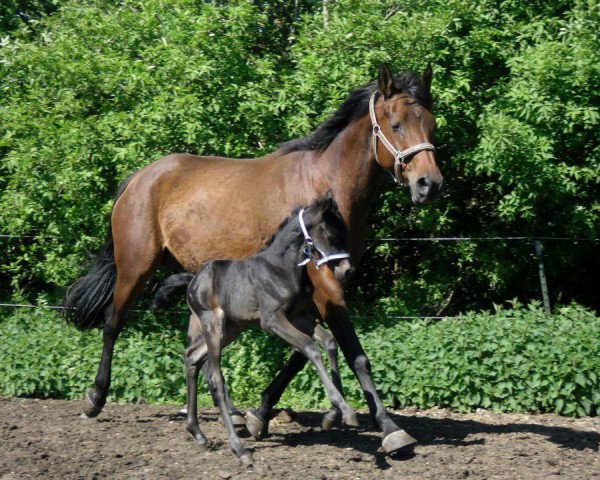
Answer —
213 333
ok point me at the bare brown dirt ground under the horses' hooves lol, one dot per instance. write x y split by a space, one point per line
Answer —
51 439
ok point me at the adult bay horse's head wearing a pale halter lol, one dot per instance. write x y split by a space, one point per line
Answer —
403 112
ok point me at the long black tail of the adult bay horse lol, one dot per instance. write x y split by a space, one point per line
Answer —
87 299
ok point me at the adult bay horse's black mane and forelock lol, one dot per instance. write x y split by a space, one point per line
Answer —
354 107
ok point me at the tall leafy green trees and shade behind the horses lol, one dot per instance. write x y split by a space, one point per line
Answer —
92 90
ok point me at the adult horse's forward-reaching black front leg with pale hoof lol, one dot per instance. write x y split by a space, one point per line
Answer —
329 298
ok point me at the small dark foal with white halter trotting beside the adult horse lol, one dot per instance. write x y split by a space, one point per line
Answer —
271 288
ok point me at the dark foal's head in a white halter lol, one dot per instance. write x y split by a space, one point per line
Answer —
328 231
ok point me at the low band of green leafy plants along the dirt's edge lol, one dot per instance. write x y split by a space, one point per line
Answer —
516 360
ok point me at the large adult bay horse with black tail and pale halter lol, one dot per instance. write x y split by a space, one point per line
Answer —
196 209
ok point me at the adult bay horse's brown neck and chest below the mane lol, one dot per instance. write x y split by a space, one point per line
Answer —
349 168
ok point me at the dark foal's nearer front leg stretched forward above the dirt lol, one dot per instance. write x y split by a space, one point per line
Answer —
278 324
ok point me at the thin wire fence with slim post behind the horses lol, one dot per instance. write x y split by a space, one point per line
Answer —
537 242
